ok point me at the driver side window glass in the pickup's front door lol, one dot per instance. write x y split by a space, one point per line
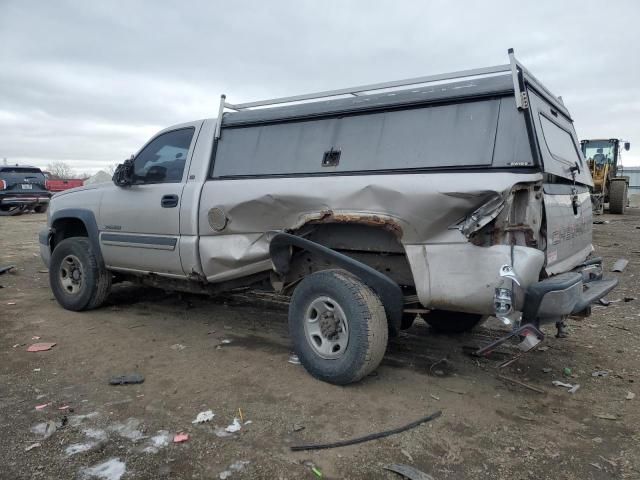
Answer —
163 160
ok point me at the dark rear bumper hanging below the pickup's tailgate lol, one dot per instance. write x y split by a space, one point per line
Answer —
567 293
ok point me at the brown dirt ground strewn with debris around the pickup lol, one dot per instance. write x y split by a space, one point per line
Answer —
232 353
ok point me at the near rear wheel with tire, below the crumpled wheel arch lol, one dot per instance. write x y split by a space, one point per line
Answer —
336 296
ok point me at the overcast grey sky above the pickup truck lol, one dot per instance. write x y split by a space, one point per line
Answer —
88 83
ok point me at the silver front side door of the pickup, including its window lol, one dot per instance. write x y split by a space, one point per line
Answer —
140 224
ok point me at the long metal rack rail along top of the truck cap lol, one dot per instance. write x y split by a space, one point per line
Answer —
355 91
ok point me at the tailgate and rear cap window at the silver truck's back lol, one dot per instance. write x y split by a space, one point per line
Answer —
567 201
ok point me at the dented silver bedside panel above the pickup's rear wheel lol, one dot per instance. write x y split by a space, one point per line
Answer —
421 209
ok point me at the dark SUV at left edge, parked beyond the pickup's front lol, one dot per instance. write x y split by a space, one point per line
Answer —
22 188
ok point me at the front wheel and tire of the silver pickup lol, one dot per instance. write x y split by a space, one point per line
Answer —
85 290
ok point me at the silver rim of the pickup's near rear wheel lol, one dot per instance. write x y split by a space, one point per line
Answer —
326 328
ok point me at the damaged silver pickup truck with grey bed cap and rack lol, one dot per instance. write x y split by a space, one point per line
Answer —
464 199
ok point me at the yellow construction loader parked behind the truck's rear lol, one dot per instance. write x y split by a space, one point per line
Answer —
609 184
